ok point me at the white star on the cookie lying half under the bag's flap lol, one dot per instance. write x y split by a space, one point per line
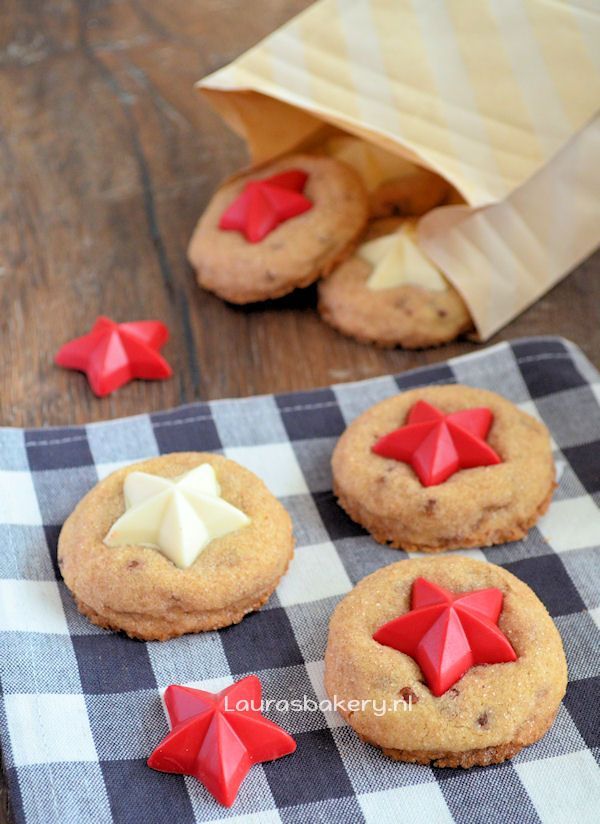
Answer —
397 259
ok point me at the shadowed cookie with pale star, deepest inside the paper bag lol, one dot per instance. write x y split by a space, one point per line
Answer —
396 186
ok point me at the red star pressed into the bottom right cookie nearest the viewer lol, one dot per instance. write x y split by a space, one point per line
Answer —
447 634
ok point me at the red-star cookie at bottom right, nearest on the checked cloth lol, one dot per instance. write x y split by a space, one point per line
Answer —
503 667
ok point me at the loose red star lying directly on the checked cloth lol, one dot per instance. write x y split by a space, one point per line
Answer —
216 737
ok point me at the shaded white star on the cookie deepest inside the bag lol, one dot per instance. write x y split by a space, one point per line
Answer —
374 165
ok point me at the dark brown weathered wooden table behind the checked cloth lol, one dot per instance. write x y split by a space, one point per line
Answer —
108 157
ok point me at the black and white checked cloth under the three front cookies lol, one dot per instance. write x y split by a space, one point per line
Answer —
81 709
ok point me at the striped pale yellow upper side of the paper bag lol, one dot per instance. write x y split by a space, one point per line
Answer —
484 92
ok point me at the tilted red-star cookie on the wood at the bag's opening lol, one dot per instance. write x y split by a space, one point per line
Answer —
297 218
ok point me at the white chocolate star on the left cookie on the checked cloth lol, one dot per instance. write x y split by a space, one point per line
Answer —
179 517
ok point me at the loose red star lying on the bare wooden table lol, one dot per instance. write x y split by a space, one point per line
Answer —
113 354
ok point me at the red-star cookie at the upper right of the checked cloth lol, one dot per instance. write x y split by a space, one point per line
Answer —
444 467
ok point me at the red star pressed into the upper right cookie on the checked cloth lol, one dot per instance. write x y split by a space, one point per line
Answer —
438 445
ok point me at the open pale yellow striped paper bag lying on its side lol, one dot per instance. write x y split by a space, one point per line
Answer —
500 97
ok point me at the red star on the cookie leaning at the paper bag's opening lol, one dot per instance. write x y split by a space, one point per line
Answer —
264 204
